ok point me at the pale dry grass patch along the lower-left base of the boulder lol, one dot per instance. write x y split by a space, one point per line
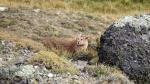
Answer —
106 73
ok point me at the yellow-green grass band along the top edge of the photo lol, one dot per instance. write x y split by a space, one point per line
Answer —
115 7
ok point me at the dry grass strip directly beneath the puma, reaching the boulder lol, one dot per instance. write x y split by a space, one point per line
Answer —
90 55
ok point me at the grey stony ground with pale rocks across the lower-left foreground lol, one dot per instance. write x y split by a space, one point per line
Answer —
16 70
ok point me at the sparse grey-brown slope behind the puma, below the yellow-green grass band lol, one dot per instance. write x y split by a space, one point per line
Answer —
34 23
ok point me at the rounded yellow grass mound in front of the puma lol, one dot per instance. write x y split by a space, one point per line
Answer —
53 62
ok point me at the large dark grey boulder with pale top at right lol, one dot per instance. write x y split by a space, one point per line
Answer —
126 43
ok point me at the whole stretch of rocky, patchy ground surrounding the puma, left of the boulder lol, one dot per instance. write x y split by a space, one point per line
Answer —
24 60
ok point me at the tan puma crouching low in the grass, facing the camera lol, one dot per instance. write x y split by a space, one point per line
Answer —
80 43
